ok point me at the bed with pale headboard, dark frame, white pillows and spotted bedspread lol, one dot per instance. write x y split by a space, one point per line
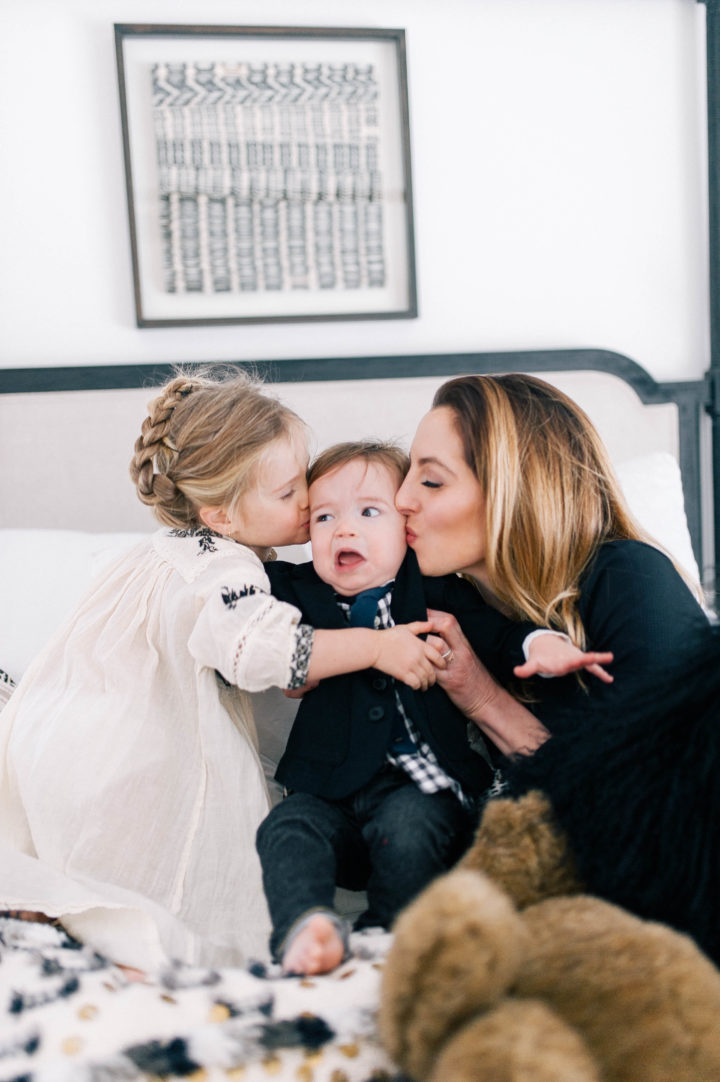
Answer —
68 508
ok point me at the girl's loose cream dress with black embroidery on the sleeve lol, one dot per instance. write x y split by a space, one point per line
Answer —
130 783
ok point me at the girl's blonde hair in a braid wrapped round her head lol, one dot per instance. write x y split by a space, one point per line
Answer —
202 442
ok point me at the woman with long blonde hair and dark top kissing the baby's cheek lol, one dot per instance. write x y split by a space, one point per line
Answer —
512 485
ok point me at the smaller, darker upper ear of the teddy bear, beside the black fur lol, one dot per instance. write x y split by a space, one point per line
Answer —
521 848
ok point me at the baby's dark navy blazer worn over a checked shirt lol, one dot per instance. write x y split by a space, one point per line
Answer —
343 730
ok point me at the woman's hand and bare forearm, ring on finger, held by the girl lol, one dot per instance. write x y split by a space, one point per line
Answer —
512 728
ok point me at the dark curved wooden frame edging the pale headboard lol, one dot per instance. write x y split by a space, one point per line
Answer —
690 397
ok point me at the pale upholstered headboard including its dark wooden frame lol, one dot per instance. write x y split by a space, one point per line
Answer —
67 434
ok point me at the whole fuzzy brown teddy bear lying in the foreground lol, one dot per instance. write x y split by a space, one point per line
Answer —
501 971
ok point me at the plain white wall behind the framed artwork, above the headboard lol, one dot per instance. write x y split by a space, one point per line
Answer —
559 167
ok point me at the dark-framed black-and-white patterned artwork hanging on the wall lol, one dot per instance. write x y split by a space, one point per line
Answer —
268 174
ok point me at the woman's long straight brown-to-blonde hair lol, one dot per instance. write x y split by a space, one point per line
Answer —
552 497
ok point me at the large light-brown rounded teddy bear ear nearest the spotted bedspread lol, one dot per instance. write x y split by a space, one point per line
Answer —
456 951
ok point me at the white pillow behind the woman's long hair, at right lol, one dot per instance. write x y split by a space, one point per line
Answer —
652 485
